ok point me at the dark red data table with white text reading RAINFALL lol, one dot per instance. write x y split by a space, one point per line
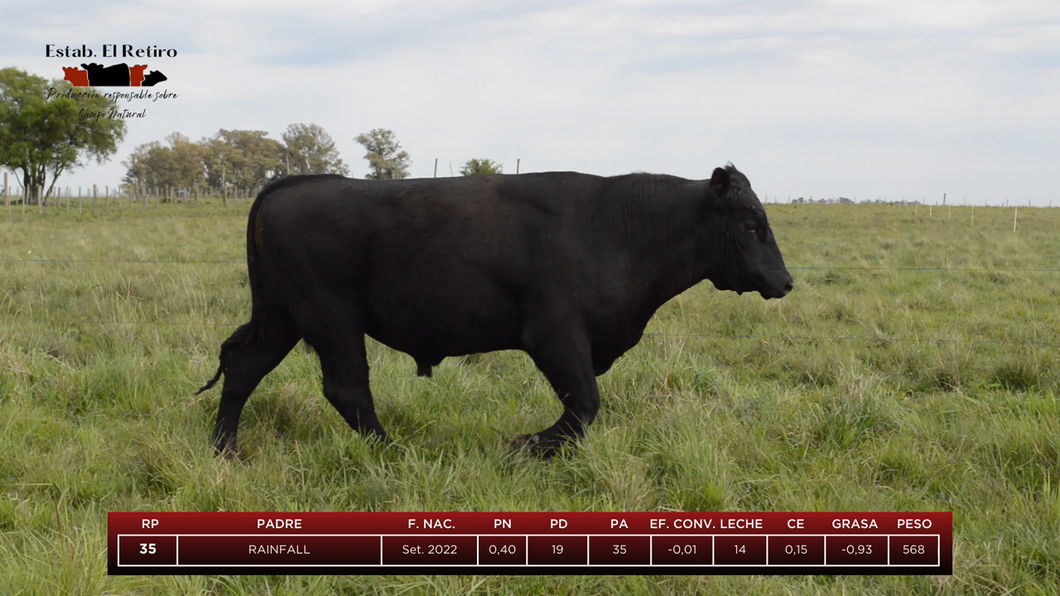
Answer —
603 544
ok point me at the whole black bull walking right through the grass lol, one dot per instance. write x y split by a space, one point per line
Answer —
568 268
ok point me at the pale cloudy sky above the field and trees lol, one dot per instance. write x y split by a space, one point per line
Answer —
858 99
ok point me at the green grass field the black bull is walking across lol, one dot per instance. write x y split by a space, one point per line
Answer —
914 369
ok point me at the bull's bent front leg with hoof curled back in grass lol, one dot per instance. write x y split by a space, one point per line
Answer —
567 361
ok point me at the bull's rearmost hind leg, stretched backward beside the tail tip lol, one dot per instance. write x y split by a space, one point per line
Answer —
246 361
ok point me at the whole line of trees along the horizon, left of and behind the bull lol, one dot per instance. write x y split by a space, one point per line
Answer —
45 133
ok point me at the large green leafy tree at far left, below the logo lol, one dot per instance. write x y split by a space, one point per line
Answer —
51 128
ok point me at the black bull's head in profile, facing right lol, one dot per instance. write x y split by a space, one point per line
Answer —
741 253
